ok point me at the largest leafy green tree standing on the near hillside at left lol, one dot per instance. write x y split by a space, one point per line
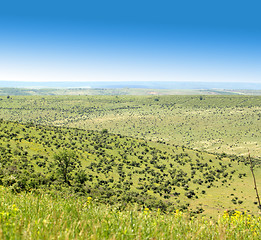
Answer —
65 162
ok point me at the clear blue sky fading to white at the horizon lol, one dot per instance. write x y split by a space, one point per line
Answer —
212 41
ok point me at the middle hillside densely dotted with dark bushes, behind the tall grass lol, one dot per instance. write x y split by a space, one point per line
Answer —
123 170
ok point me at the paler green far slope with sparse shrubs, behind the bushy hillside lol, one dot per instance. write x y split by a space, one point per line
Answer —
220 124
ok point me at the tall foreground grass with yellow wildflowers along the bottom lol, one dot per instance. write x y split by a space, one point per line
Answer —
27 216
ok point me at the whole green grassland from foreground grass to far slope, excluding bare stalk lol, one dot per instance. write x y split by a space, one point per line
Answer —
115 167
